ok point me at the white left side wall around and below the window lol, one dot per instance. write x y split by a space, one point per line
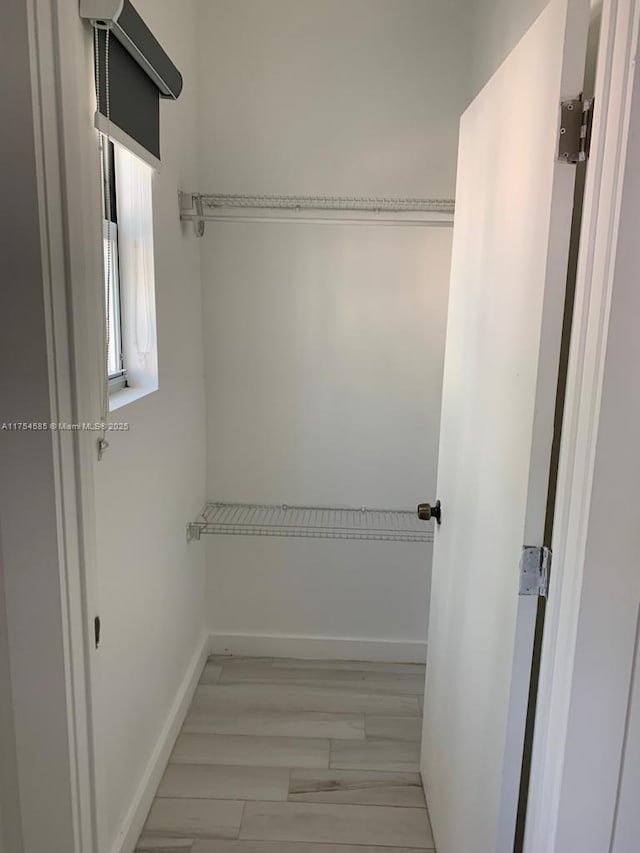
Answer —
151 481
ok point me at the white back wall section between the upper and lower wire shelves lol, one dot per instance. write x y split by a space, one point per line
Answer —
324 361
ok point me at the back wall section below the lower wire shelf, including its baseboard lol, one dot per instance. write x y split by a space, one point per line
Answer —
336 599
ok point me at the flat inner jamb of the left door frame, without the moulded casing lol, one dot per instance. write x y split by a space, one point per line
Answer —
71 136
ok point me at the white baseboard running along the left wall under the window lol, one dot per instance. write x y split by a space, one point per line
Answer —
134 821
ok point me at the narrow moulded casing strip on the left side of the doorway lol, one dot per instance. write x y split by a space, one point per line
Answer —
42 29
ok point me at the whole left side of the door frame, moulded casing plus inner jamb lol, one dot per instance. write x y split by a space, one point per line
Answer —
70 228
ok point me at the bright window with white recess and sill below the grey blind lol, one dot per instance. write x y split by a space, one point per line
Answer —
130 323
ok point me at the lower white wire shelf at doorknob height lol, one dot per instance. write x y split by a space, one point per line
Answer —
317 522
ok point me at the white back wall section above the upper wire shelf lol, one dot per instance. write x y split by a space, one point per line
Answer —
351 97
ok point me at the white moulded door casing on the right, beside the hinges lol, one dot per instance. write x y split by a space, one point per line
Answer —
603 197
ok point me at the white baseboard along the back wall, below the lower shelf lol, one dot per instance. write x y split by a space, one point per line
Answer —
318 648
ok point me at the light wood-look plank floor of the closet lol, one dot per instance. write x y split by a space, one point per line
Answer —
290 756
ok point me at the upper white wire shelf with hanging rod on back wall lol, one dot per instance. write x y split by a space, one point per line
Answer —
200 208
